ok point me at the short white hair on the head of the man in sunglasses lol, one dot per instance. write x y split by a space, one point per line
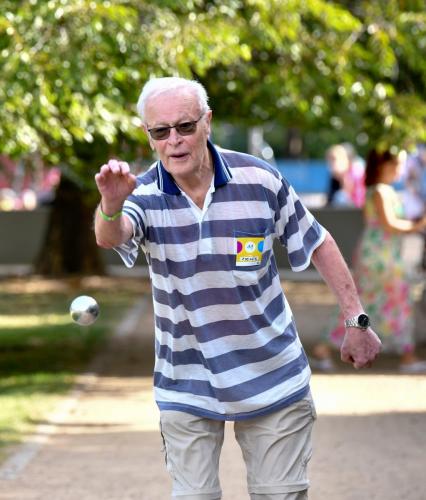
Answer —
156 86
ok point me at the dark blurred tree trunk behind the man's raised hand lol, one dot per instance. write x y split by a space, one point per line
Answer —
70 247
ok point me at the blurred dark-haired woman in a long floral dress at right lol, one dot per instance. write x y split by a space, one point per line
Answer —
379 270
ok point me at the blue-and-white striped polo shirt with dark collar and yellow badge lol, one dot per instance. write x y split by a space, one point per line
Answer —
226 344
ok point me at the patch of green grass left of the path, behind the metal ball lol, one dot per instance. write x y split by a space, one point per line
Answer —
42 350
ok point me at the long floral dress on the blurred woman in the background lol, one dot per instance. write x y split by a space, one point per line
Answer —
380 276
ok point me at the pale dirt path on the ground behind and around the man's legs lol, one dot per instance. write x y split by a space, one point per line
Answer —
103 443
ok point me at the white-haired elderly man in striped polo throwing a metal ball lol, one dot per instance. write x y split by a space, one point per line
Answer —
225 338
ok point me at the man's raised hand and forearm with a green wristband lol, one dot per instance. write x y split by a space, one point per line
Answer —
115 183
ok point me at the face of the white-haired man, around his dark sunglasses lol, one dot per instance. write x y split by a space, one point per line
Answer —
181 155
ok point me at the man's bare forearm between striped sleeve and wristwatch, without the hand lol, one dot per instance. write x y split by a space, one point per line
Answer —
330 263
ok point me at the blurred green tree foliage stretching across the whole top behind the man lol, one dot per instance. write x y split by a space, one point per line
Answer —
72 69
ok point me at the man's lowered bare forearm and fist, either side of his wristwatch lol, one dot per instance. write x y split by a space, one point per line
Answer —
360 347
